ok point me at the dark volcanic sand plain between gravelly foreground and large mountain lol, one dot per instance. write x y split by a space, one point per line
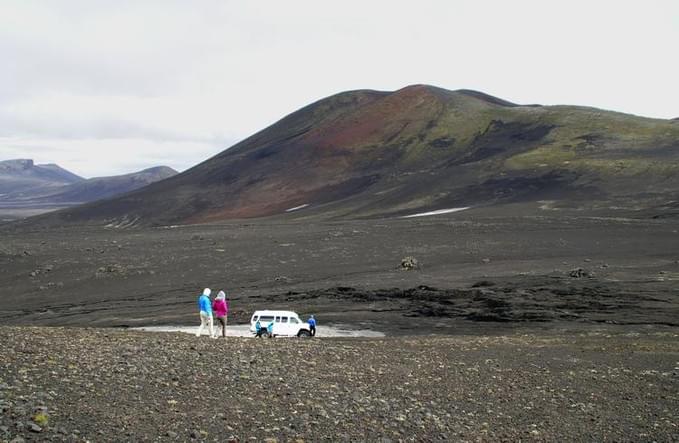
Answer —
479 272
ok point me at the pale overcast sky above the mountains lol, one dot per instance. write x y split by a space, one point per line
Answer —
110 87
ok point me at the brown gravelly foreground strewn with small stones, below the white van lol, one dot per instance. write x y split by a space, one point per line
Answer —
63 384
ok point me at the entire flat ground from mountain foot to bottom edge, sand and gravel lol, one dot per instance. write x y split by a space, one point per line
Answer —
544 327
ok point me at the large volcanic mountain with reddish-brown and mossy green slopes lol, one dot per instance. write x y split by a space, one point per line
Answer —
373 154
